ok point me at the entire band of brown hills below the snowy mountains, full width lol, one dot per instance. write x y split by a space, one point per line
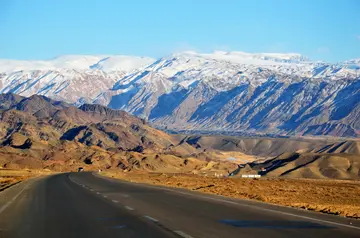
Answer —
38 132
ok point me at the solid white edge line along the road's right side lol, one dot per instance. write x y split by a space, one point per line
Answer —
270 210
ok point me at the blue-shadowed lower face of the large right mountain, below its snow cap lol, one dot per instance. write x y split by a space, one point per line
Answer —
306 107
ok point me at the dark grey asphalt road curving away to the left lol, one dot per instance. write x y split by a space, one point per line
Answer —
88 205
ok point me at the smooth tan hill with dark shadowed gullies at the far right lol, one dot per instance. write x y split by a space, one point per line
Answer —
339 160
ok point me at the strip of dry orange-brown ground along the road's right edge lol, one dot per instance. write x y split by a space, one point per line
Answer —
336 197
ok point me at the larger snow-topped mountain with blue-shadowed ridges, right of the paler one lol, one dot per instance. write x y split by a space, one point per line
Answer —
220 92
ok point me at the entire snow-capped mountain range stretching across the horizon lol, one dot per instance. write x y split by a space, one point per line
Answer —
281 94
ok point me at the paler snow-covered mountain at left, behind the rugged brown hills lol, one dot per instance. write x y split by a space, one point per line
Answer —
71 78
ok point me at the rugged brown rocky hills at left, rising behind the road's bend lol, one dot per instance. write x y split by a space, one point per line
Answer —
38 132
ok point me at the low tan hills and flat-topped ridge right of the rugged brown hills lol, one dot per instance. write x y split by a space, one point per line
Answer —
288 157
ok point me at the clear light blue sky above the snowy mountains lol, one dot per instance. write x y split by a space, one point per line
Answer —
42 29
